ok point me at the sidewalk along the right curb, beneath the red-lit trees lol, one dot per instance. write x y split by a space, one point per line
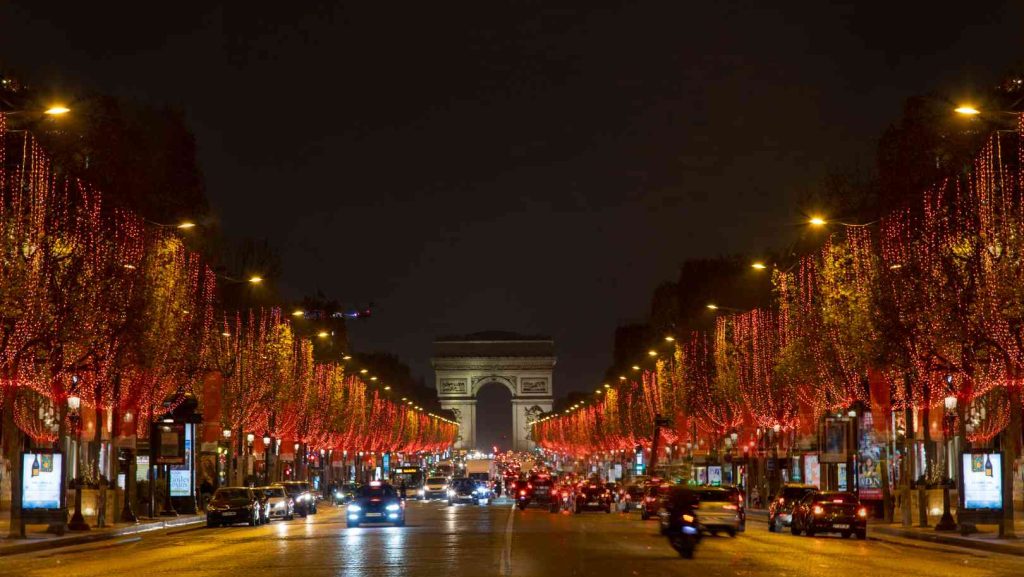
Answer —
985 541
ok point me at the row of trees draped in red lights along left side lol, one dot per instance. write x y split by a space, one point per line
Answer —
99 306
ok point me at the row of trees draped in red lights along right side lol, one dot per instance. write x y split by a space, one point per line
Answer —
925 305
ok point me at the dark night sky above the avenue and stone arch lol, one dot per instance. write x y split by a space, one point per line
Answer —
515 167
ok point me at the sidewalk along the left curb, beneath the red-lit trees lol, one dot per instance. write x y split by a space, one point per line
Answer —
37 541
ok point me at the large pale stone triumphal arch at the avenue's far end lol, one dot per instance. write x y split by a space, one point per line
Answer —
463 365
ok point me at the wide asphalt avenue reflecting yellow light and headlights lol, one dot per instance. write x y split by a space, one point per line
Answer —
472 542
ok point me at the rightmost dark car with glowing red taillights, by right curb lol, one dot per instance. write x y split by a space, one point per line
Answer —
830 512
